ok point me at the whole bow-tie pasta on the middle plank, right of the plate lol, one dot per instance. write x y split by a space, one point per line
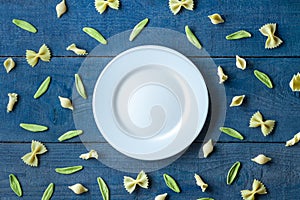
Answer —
266 126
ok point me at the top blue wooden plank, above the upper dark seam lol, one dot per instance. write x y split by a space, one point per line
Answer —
59 33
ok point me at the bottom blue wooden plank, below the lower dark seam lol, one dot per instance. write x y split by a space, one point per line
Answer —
281 175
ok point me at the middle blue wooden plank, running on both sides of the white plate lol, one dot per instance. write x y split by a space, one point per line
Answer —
280 103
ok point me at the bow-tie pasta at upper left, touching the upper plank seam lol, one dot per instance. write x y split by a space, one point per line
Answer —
32 57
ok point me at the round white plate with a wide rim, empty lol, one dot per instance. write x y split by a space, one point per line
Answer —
150 102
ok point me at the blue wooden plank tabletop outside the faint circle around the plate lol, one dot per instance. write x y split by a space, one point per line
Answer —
281 176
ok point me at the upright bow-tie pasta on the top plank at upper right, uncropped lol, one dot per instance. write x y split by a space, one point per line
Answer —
272 40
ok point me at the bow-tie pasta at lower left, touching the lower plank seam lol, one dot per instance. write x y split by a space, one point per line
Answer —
37 148
